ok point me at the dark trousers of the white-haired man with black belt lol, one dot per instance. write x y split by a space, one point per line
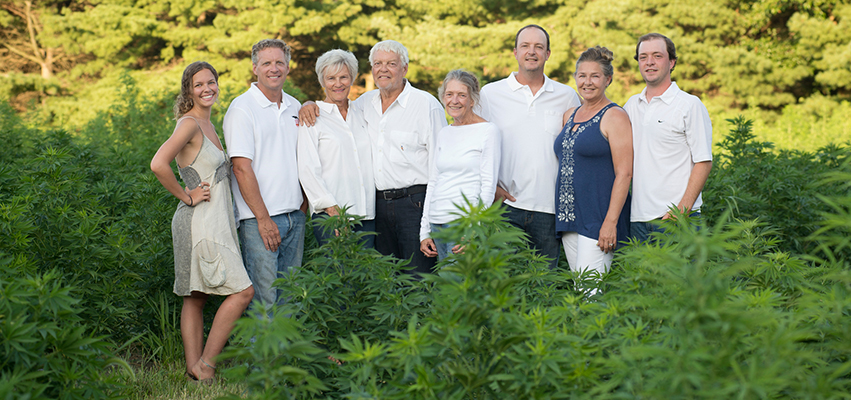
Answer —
397 223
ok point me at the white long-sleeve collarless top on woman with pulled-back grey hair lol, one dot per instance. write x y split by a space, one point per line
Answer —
466 163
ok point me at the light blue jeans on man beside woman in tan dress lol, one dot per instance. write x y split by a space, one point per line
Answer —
265 266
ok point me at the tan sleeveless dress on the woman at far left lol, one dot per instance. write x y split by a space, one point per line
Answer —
206 249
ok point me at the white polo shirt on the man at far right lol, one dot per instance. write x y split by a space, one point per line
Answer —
669 135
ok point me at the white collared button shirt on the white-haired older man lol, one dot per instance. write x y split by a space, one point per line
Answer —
401 136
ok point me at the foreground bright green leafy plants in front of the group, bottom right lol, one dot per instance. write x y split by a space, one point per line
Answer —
714 312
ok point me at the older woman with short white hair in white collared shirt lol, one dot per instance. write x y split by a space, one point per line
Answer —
334 155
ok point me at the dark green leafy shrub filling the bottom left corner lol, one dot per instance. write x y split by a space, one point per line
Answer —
47 350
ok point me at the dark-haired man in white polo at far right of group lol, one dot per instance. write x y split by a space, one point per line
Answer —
672 140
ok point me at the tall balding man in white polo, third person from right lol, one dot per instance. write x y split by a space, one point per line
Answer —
527 106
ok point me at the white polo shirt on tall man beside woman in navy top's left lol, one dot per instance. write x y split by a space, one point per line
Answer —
529 125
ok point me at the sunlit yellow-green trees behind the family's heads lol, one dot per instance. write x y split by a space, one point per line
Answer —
67 58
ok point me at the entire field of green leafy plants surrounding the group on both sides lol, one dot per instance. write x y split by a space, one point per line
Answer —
754 304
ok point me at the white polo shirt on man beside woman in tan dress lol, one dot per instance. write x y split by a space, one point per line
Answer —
255 128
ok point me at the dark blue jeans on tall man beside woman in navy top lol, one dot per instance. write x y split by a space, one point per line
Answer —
541 229
